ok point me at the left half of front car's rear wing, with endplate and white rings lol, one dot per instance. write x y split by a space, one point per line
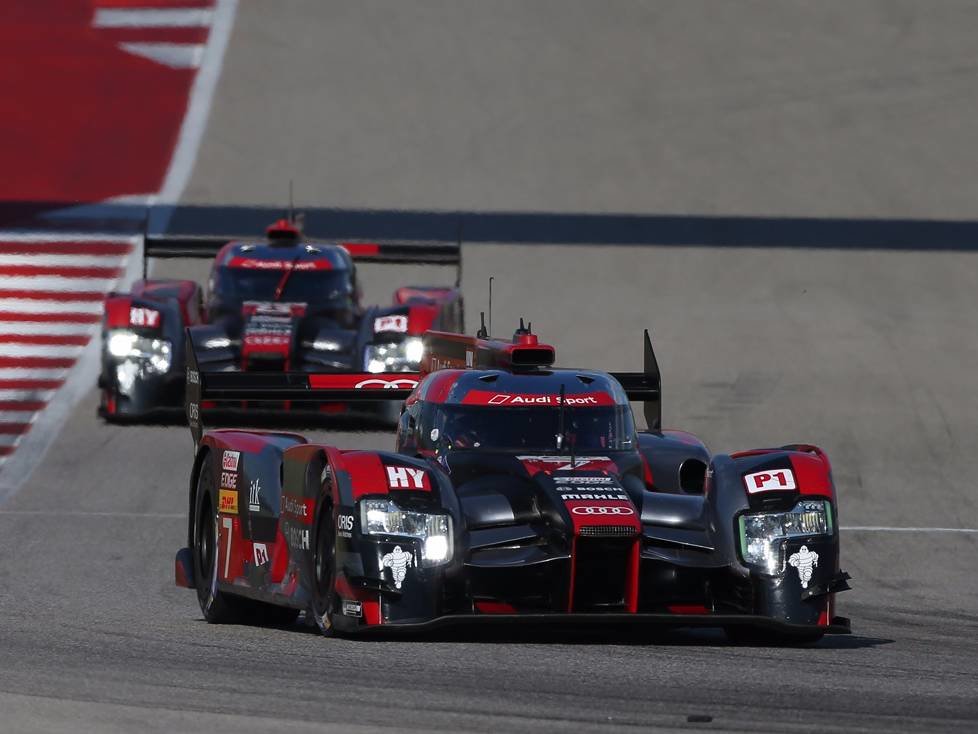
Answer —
204 387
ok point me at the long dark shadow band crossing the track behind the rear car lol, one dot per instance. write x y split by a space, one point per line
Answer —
527 228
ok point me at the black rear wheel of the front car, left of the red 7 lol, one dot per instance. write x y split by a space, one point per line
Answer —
217 606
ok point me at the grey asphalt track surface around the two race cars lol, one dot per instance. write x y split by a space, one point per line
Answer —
835 109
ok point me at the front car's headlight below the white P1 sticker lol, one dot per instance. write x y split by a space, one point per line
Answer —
763 535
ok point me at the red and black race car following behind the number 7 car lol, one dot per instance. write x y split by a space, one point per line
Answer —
282 304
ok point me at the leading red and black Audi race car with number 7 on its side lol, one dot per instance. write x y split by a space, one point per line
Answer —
516 492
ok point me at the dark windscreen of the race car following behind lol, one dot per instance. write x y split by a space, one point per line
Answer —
316 287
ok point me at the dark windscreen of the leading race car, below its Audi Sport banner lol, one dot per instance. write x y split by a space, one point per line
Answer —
530 429
